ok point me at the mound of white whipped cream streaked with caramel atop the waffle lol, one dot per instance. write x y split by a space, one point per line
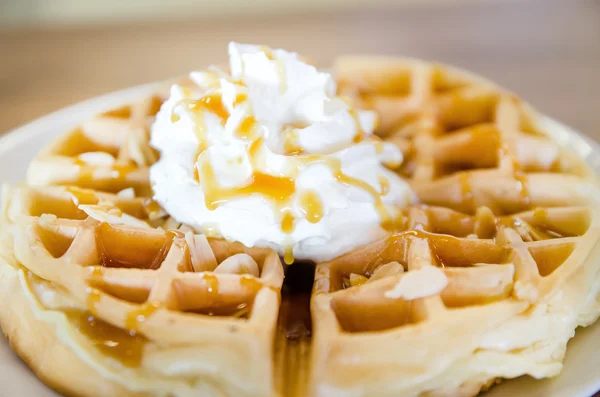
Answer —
269 156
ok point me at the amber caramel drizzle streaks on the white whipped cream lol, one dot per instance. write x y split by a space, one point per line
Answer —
277 189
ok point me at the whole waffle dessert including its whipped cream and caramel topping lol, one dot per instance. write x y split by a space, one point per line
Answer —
167 247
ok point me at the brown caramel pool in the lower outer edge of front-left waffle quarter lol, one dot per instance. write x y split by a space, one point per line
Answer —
111 341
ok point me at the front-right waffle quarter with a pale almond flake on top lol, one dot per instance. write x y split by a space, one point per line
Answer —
503 275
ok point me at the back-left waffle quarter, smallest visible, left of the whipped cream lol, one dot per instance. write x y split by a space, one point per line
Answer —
110 152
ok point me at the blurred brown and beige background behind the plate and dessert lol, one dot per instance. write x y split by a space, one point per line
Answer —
54 53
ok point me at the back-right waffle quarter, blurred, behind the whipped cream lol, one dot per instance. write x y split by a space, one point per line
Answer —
466 142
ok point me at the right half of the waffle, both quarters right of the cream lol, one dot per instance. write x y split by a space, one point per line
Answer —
489 276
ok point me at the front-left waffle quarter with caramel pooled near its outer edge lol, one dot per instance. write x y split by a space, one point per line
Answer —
167 312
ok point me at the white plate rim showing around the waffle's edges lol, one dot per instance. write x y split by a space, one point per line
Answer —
579 378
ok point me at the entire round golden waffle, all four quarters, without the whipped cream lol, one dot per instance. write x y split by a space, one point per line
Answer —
485 278
